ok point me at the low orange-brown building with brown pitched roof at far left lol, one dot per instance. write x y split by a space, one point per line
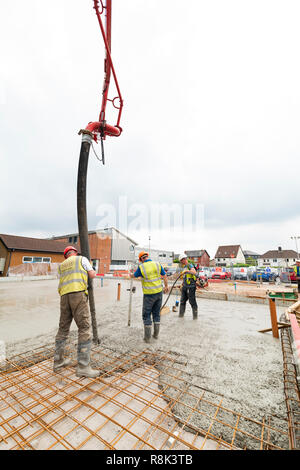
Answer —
17 251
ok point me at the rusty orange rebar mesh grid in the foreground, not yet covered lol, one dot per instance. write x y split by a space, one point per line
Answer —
142 400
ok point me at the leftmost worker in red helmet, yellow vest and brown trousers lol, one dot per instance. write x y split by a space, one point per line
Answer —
73 284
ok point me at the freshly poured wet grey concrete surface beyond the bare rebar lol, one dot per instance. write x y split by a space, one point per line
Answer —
222 351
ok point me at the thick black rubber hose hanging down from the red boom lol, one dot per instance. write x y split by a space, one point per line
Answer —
82 219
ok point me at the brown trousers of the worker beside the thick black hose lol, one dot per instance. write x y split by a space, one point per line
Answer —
75 305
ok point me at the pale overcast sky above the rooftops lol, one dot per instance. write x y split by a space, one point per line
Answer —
211 119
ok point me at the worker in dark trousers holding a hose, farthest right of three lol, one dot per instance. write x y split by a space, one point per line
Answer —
188 289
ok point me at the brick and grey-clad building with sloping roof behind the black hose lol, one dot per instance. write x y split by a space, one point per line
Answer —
110 250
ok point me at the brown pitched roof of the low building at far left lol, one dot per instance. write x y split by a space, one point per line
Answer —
14 242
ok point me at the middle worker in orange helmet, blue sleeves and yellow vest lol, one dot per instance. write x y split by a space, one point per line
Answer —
151 273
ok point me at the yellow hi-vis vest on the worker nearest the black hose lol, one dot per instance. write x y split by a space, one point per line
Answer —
72 276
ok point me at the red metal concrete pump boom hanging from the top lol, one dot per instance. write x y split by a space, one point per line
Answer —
101 127
